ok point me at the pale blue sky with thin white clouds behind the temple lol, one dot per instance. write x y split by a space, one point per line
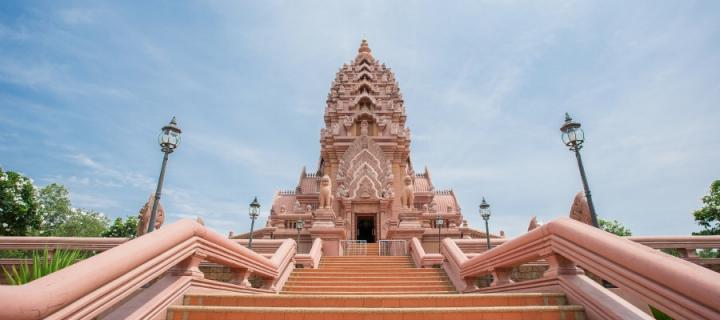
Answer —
85 87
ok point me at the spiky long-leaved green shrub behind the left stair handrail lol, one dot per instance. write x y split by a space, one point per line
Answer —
42 264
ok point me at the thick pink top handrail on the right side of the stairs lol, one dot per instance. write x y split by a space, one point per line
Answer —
680 288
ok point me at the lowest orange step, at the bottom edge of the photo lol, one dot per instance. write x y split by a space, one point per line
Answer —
292 313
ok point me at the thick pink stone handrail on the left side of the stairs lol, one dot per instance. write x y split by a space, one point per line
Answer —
89 287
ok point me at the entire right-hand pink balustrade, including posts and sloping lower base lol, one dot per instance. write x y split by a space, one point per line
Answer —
680 288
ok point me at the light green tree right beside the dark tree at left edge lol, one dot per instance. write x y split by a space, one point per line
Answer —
54 206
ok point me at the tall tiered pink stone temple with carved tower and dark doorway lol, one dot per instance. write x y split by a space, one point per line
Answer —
365 186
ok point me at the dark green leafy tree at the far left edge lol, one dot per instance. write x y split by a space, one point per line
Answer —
18 205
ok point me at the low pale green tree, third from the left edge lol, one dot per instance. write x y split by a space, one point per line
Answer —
82 223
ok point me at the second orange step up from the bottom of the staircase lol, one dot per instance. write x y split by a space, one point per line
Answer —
385 301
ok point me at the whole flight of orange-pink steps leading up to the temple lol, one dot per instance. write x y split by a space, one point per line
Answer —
373 287
